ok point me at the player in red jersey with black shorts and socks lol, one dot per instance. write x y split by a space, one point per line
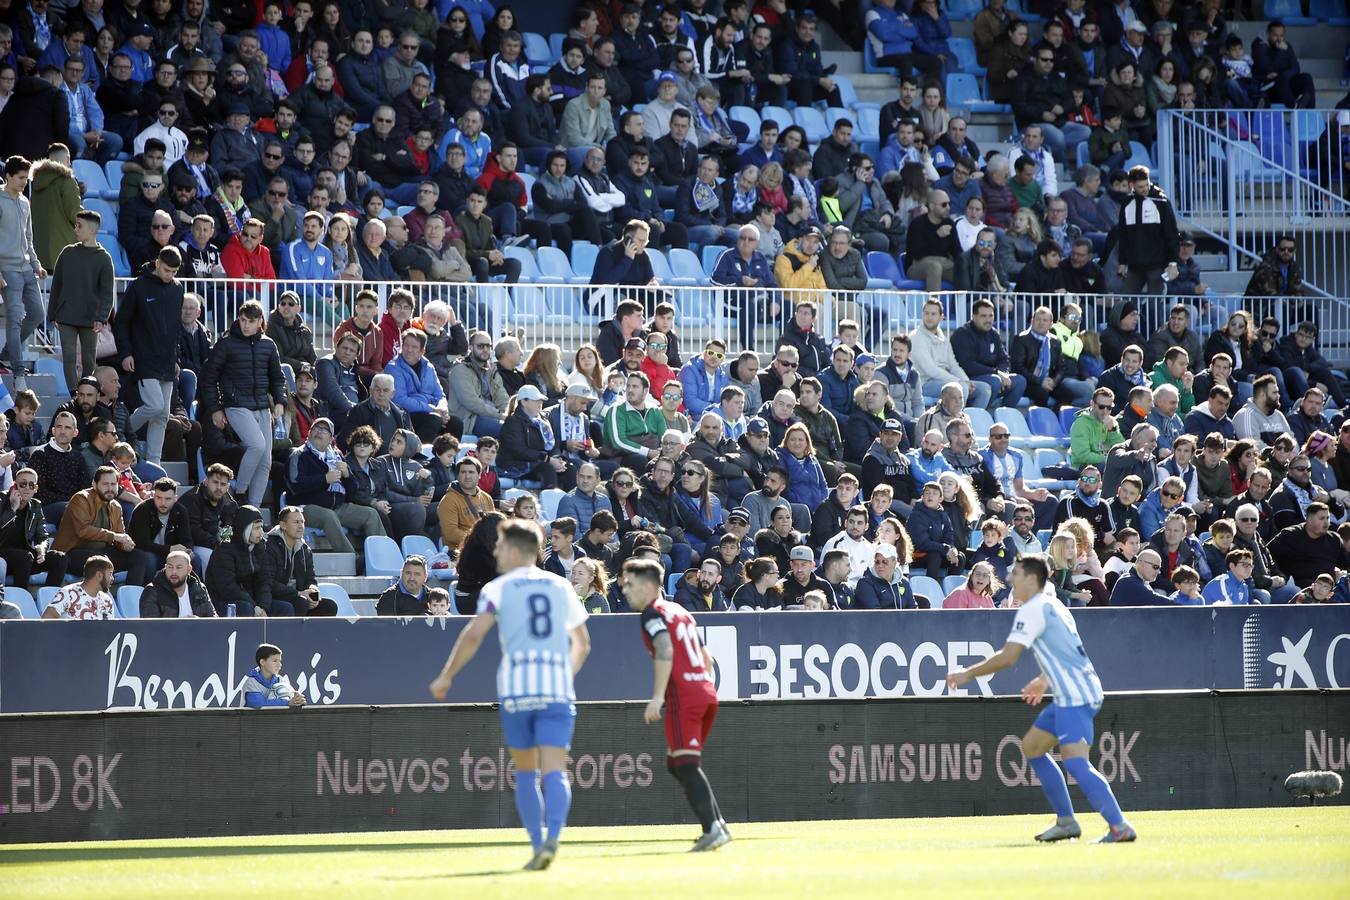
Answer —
684 682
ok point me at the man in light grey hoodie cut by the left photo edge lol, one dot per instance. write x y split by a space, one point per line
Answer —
20 266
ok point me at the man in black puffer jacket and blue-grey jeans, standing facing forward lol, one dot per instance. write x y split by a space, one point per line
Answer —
242 387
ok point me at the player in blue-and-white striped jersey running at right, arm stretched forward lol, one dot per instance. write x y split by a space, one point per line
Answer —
1047 627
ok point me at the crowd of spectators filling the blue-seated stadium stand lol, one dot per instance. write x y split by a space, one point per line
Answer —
271 141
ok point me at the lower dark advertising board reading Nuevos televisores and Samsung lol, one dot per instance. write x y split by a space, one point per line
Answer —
134 775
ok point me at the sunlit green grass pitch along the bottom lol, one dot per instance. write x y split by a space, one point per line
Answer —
1213 853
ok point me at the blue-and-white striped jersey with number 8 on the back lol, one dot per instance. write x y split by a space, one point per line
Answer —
535 611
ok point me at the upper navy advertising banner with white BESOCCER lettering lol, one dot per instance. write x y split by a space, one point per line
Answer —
157 665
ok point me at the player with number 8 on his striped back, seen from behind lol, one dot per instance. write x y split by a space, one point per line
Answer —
545 643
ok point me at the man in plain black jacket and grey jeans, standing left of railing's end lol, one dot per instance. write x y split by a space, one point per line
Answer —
146 329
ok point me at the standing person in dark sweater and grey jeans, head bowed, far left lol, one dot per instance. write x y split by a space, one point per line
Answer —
83 292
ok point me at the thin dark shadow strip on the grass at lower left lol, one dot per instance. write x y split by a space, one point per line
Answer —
91 855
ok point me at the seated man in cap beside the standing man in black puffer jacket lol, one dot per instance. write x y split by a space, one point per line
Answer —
315 476
